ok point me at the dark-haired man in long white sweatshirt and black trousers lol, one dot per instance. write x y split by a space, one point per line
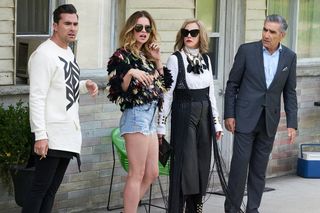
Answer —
54 109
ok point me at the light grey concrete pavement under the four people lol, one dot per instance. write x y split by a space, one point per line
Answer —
292 194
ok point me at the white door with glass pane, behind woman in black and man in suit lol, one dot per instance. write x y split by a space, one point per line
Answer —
221 18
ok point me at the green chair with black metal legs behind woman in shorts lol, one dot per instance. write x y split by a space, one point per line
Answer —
119 144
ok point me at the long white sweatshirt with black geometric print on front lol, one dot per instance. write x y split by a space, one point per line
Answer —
54 96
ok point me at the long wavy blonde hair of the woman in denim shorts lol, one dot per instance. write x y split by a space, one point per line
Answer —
127 39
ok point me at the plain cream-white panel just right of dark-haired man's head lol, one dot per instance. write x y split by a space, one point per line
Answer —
93 46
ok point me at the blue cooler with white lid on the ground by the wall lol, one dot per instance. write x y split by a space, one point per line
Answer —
308 165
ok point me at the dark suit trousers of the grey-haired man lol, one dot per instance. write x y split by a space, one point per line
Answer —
249 162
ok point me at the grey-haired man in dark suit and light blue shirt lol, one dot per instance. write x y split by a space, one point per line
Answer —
261 72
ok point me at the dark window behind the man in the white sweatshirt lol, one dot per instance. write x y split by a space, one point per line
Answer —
34 21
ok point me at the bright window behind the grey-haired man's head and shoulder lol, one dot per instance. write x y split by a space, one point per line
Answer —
303 17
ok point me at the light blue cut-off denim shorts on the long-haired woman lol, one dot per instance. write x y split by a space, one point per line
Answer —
139 119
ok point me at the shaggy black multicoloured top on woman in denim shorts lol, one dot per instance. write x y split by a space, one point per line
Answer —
137 94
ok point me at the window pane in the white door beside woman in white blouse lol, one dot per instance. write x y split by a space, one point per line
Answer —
208 11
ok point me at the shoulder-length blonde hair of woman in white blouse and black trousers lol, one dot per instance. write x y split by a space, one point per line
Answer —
203 36
